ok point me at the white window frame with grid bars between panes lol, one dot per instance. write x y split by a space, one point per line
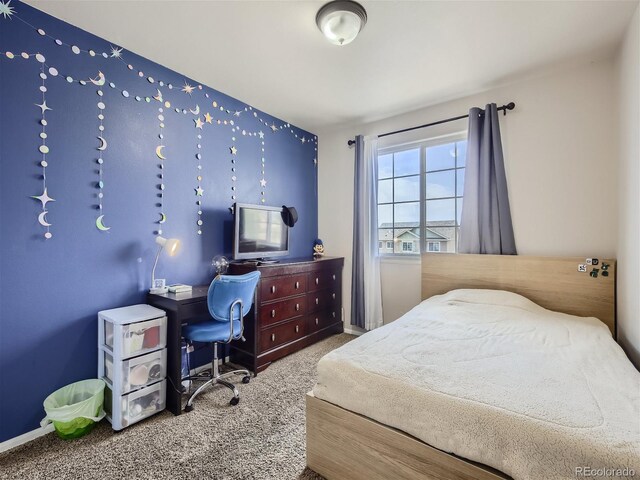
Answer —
422 145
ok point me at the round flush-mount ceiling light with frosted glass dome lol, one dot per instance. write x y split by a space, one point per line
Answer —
341 21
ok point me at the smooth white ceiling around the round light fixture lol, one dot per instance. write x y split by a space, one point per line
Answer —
411 54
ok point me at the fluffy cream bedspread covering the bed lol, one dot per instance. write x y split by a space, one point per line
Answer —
493 377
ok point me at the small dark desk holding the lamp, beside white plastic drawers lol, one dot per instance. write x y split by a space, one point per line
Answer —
181 308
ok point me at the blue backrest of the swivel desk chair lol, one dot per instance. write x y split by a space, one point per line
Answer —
226 289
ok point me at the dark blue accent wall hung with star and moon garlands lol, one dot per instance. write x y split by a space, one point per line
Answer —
51 289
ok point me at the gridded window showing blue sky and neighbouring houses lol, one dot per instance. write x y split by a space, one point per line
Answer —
420 191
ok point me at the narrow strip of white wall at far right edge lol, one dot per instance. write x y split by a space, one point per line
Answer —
628 65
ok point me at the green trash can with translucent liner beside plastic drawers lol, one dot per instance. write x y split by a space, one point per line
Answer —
75 409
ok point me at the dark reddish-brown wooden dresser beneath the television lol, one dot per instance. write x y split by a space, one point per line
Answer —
298 302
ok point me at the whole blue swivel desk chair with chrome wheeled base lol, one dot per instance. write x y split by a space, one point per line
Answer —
229 299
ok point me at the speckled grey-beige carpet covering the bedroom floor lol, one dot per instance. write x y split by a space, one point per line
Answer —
263 437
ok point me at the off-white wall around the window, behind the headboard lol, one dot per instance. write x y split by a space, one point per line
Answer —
561 161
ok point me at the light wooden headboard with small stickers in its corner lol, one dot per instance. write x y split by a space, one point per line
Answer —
552 282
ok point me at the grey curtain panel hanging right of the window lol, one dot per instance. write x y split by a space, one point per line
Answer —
485 226
